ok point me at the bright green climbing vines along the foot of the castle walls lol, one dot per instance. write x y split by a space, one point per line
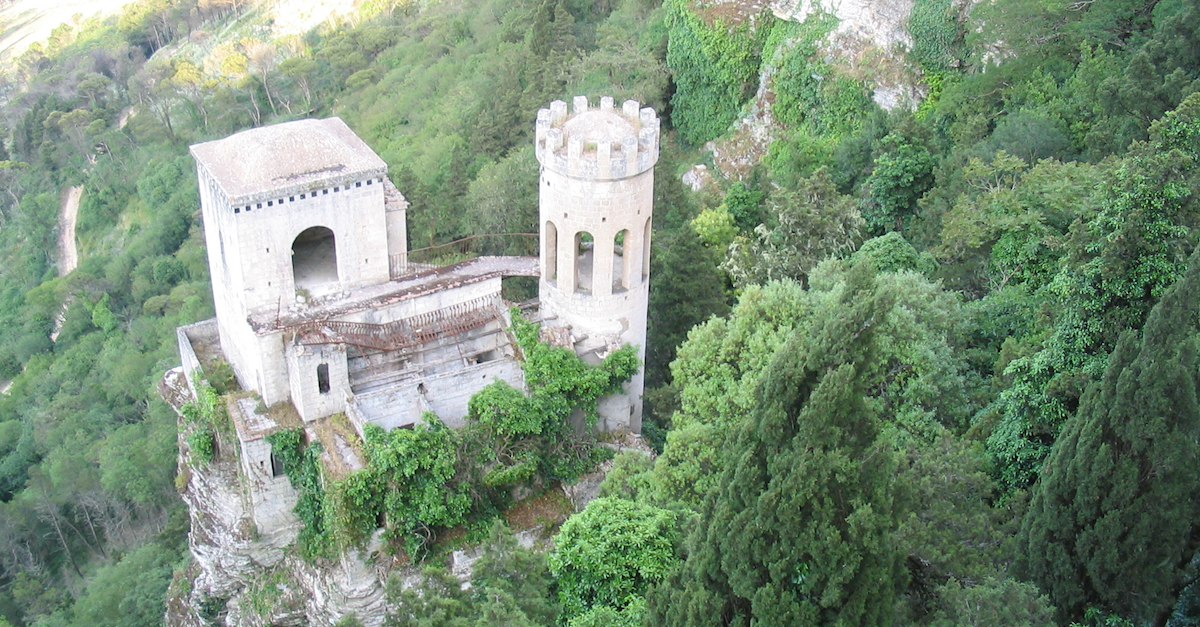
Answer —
433 477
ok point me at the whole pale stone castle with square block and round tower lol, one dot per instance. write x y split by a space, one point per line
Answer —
321 312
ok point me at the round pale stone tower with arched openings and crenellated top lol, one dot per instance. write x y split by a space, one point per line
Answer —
596 200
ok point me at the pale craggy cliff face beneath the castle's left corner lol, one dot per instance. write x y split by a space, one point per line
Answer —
261 581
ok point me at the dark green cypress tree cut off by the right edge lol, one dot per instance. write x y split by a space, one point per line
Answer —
1115 519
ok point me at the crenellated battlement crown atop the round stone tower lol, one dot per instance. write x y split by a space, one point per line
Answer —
598 144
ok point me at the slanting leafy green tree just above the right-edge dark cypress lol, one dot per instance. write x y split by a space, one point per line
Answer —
1117 266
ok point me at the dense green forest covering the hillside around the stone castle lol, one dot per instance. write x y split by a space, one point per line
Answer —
933 366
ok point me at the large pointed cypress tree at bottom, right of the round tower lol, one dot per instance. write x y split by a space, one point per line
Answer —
799 532
